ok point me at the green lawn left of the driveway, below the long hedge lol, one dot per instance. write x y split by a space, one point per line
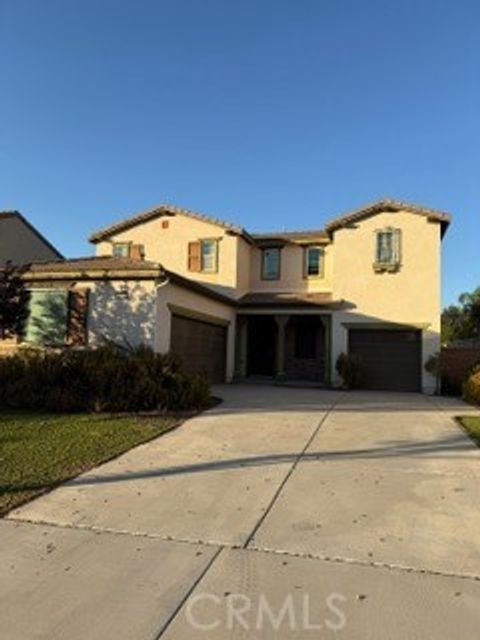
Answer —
38 451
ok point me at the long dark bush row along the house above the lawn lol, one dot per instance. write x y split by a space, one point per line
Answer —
108 379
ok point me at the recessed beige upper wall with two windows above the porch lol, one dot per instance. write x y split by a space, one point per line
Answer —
292 261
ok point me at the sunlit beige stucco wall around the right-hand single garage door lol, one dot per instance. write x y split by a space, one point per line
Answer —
410 296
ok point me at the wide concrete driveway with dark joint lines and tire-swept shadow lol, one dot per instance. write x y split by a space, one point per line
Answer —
282 513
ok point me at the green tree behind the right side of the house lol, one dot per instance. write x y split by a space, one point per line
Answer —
463 320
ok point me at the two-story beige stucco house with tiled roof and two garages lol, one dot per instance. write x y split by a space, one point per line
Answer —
281 305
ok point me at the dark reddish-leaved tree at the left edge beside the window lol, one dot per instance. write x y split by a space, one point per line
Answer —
13 301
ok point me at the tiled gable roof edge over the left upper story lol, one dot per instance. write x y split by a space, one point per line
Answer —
159 211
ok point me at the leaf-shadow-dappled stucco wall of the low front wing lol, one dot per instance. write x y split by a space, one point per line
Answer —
122 312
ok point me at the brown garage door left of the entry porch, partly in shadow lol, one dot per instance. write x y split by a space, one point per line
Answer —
201 346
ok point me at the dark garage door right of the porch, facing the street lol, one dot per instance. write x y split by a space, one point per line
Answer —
391 359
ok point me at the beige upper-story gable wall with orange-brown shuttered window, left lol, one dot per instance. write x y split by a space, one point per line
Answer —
170 247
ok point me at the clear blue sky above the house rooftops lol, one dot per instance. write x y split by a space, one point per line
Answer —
267 113
